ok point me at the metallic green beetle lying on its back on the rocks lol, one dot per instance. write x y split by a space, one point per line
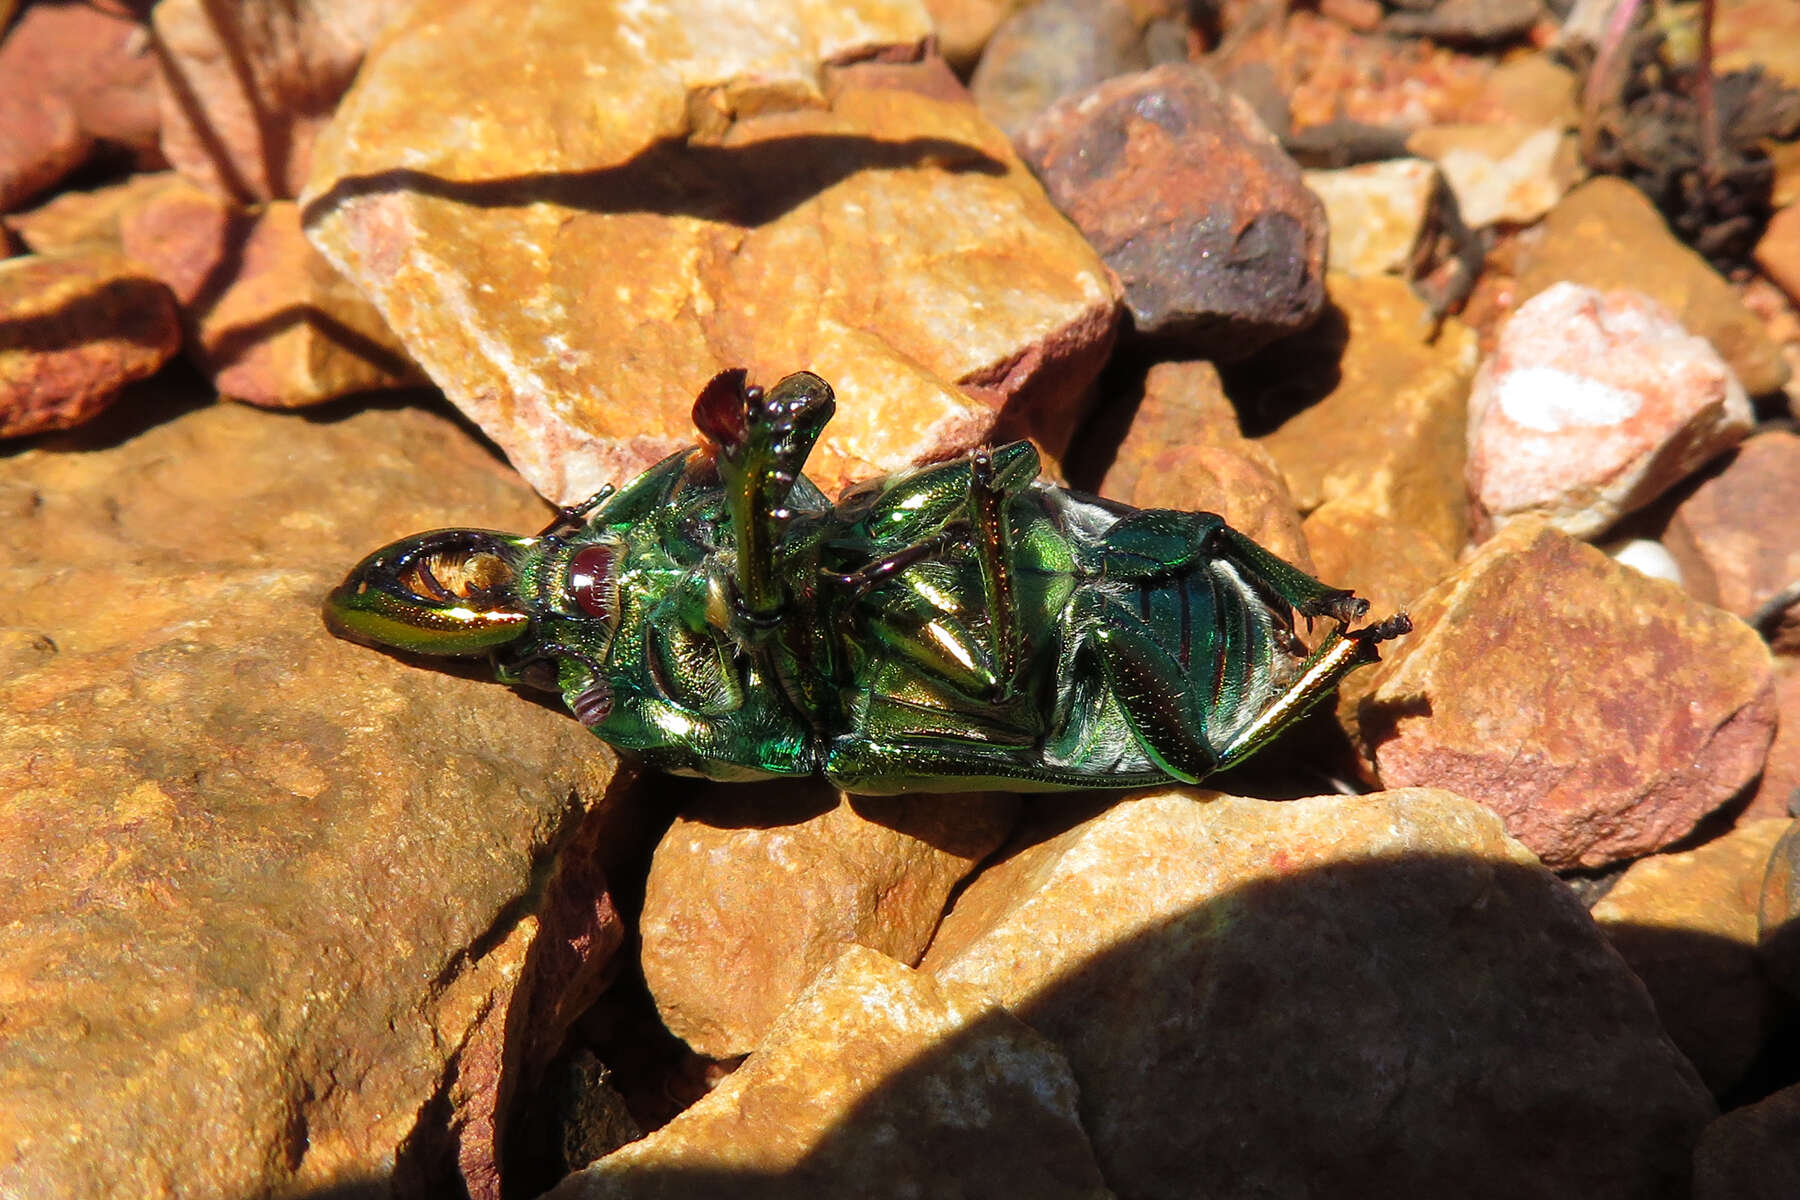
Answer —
953 627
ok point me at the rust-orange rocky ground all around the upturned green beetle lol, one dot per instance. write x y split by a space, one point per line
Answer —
1486 309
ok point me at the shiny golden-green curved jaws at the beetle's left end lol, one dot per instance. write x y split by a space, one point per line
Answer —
445 593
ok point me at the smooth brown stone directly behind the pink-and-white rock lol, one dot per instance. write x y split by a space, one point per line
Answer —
1605 235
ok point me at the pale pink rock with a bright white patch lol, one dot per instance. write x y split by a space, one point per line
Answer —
1592 406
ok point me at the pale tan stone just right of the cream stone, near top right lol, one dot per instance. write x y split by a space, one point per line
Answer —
1502 174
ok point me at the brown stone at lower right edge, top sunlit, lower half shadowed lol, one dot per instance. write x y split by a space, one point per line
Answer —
1687 927
